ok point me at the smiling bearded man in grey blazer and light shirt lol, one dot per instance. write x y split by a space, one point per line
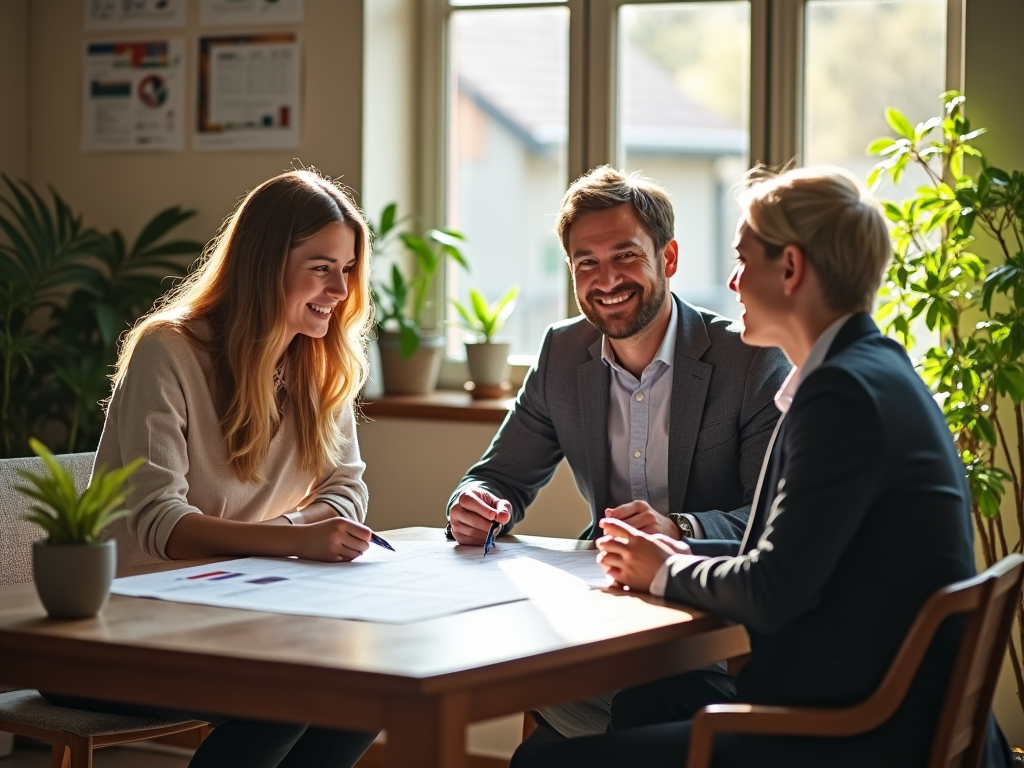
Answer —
663 413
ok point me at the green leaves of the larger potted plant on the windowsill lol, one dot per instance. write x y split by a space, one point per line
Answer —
402 303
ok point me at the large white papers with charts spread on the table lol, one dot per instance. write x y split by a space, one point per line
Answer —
420 581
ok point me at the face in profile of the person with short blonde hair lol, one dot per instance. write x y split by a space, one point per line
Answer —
760 287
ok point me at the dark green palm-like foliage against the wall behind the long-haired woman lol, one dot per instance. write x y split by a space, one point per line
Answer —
67 293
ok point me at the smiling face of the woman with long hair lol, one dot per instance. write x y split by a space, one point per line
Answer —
317 280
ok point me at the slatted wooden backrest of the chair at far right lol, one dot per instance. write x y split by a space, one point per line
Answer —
960 739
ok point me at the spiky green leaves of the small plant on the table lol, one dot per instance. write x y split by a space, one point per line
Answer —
66 517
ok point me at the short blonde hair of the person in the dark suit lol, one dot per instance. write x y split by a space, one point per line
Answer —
835 221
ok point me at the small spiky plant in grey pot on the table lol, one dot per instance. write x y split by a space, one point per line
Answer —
73 566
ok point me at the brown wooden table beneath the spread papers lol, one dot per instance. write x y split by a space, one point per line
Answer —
423 682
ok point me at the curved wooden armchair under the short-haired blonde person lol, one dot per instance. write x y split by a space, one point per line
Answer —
991 600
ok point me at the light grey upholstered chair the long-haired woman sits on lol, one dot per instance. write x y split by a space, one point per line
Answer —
74 734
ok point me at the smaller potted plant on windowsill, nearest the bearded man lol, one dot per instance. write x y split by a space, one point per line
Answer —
489 360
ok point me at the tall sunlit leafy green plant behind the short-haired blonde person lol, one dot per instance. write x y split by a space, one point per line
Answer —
977 312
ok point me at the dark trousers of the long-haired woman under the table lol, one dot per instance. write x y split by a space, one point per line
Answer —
248 744
